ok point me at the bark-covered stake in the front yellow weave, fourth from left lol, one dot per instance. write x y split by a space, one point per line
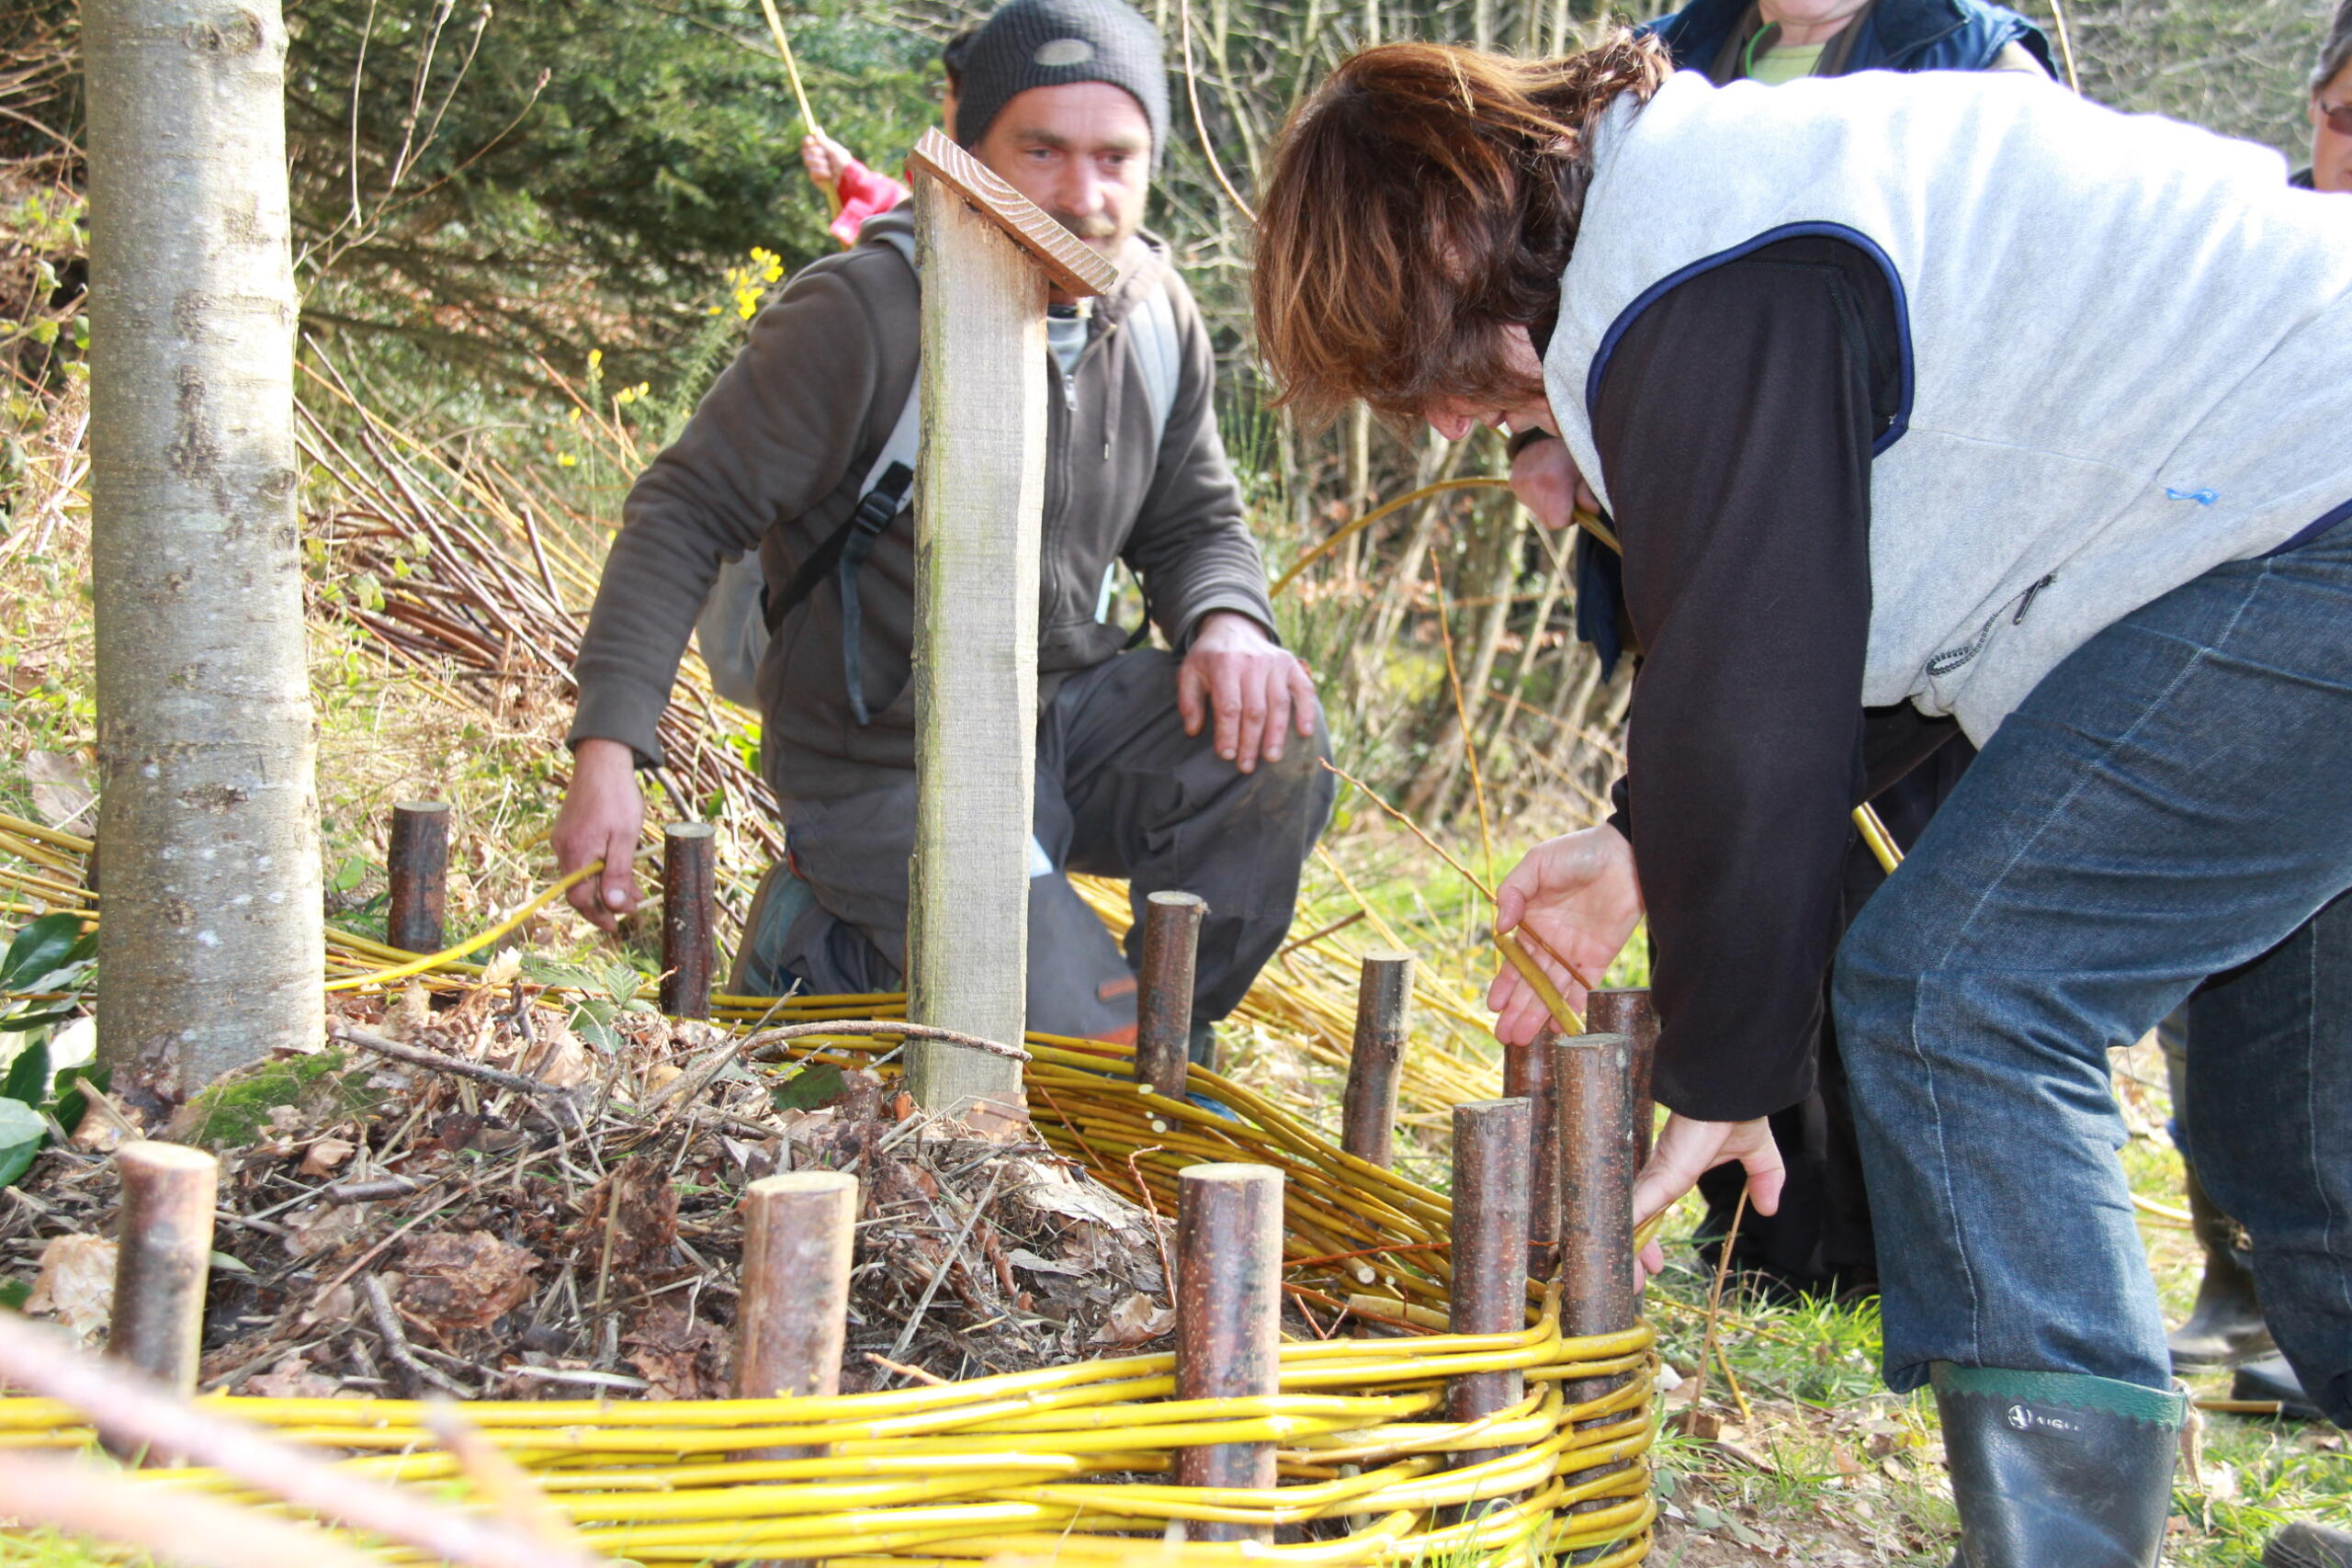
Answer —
1490 1249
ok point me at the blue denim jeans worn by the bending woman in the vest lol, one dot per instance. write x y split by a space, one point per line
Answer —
2172 803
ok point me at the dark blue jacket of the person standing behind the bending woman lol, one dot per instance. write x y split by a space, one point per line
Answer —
1895 36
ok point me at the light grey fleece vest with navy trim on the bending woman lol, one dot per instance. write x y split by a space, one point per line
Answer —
2127 344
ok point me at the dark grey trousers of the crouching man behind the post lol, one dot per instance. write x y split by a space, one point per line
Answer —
1121 793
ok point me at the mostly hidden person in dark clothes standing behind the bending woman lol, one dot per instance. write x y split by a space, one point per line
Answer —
1819 1240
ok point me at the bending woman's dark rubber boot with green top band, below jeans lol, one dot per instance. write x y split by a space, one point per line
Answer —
2057 1470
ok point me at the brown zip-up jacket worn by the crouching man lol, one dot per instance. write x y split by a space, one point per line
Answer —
773 462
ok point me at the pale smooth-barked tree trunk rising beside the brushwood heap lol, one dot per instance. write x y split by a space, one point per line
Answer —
211 946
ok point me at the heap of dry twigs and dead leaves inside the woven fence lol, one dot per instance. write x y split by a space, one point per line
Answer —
399 1228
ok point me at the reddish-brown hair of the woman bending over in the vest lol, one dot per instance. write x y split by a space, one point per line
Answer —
1422 201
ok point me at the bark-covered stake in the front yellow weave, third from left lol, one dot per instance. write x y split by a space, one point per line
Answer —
1229 1315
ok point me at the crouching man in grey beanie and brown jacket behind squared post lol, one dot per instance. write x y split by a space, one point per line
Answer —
1182 772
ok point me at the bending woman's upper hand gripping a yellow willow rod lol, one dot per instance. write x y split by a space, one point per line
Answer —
1575 894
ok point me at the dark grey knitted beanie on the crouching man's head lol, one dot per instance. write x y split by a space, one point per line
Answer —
1050 43
